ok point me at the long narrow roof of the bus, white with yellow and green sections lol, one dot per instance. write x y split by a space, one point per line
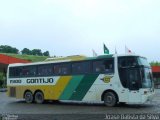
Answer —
71 58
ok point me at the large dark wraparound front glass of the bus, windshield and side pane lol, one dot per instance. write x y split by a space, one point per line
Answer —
134 72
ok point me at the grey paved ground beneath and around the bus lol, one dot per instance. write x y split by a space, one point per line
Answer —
14 106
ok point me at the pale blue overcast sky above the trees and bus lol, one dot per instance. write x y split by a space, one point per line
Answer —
75 27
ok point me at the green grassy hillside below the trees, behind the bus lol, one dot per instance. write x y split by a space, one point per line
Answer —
31 58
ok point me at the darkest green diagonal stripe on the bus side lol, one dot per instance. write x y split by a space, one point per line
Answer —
83 87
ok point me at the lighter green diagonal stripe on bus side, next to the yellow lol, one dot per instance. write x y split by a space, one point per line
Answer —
70 88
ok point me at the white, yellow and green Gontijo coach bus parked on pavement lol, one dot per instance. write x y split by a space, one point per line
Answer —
110 79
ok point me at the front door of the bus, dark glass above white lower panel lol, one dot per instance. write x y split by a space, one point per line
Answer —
134 84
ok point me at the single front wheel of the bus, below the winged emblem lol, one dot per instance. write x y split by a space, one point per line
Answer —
110 99
